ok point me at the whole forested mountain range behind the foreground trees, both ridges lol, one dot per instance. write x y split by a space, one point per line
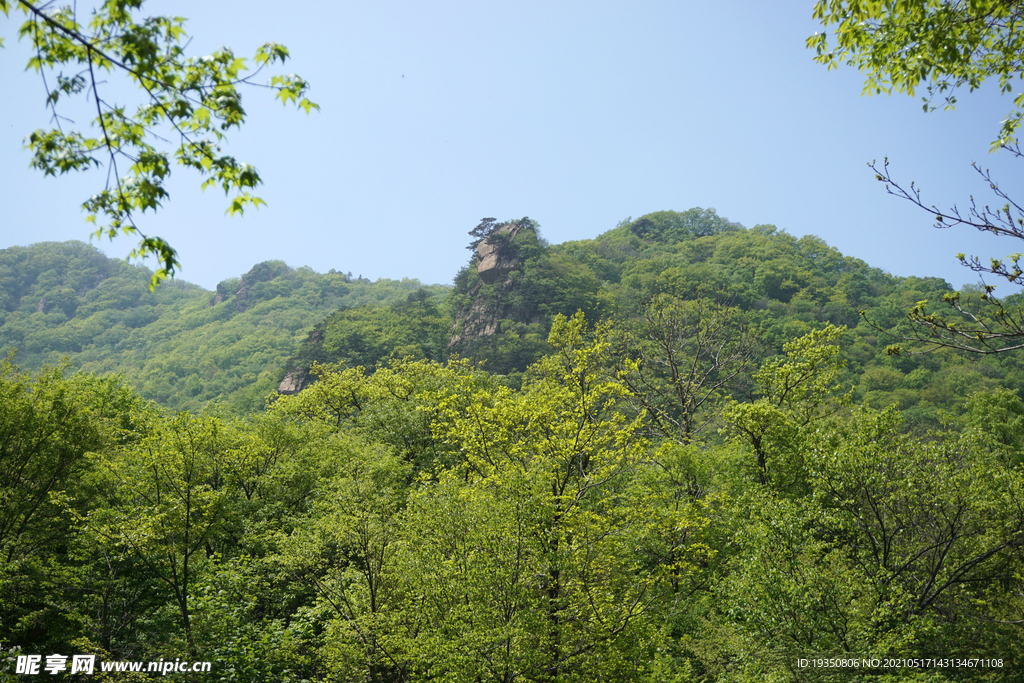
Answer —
184 347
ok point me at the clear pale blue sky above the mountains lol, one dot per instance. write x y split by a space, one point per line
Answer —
576 114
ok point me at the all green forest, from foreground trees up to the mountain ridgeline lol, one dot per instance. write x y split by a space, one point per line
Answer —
676 452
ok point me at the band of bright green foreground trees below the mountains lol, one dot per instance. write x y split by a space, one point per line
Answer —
426 522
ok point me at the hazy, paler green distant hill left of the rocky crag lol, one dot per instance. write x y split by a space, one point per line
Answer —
182 346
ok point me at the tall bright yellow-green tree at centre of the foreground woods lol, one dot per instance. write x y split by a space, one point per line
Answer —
532 538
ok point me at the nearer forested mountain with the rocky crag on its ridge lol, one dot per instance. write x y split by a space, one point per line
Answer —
785 287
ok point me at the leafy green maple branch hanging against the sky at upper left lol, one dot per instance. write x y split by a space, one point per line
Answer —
193 100
